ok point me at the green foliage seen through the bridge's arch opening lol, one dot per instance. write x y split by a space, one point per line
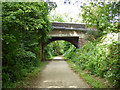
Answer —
57 48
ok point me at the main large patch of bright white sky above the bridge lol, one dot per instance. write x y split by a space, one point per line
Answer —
70 9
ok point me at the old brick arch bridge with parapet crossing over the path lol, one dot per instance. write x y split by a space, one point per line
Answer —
71 32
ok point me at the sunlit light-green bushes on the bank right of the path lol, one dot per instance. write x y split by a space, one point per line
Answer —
101 60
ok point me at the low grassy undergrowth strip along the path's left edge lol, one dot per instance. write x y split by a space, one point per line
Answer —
28 75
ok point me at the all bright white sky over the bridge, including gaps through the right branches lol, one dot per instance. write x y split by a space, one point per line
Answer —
70 9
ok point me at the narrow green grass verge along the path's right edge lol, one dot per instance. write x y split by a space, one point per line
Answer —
93 81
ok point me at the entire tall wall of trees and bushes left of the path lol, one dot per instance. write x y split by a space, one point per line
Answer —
25 26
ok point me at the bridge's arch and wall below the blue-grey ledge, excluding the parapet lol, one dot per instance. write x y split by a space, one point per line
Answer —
76 37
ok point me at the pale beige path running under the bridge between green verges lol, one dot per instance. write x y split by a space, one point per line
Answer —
58 74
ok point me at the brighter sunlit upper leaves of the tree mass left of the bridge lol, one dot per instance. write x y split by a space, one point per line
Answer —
21 16
